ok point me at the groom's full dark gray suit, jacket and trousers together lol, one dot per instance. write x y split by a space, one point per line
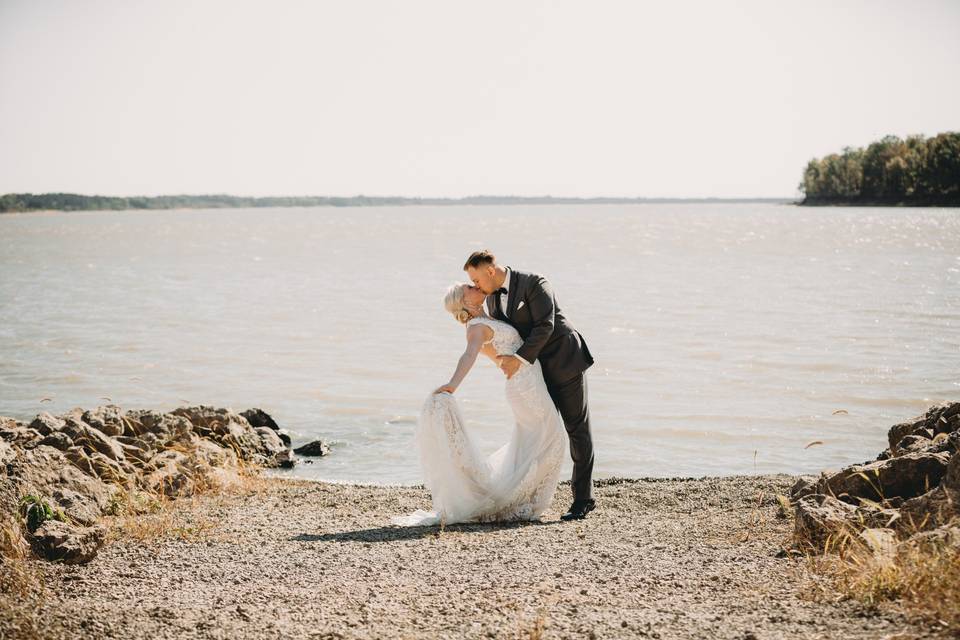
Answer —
564 357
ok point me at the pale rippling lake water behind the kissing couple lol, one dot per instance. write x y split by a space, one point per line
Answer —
726 336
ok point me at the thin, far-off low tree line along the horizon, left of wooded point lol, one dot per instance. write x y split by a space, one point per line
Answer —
74 202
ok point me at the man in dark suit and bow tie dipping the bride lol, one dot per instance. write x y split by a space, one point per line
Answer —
526 301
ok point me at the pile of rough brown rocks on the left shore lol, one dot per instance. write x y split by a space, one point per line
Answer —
76 468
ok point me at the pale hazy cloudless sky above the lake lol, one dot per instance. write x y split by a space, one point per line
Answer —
449 98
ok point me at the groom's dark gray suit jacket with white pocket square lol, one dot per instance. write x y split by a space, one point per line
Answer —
547 334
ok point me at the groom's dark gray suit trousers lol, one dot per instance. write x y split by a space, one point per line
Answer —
570 398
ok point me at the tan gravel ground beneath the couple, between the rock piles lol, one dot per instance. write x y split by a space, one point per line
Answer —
657 559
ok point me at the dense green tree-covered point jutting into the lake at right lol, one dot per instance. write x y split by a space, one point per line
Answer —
915 171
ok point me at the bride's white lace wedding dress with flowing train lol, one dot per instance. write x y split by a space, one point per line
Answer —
517 481
